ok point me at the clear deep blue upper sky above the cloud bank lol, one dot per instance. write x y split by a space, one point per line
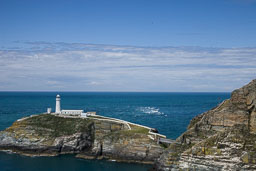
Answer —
217 23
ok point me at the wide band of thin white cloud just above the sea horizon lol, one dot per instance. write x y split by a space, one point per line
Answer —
91 67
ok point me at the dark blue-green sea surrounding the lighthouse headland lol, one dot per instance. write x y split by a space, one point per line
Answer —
169 113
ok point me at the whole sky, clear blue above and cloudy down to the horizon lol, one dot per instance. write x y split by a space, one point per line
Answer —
128 45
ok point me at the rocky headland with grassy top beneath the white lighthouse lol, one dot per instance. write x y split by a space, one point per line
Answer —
47 134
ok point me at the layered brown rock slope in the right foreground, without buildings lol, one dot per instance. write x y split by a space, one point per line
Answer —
223 138
